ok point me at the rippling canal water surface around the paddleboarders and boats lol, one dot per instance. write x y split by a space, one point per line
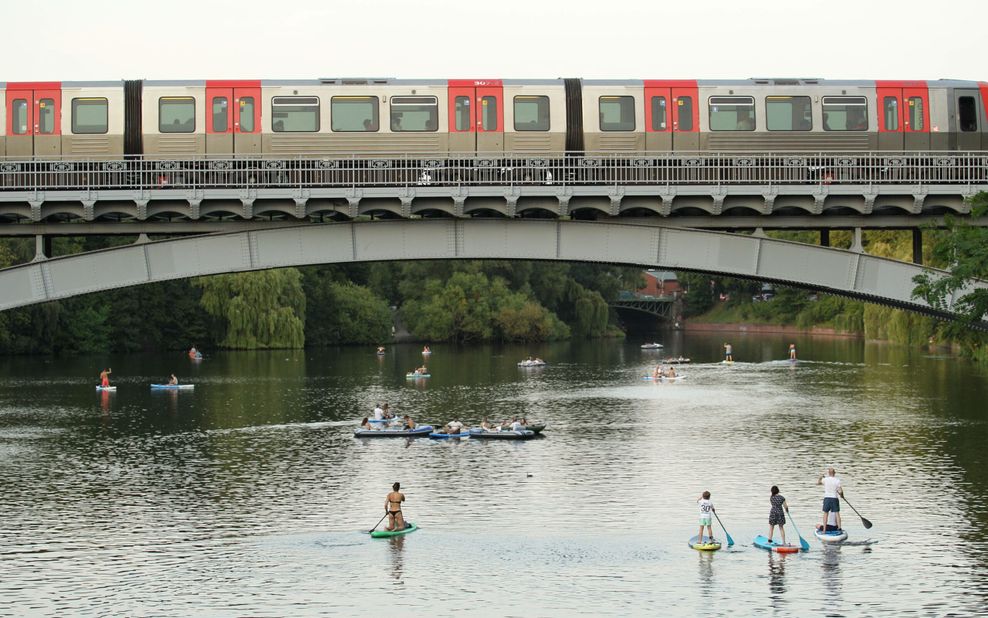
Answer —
250 495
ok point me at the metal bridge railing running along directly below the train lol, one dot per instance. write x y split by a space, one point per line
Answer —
501 169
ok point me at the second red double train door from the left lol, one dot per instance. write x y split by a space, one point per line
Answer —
233 118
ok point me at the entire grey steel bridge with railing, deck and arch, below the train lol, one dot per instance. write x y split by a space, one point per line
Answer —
644 209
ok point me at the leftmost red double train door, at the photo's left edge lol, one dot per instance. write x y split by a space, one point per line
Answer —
34 120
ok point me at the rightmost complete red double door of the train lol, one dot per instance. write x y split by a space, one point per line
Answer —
903 116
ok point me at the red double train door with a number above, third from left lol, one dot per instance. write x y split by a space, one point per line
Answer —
476 116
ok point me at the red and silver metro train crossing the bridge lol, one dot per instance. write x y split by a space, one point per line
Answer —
180 119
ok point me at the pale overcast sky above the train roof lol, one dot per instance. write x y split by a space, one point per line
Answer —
222 39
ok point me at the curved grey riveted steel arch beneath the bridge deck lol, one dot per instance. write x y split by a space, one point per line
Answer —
843 272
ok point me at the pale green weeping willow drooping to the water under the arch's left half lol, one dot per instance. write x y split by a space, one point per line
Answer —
258 310
